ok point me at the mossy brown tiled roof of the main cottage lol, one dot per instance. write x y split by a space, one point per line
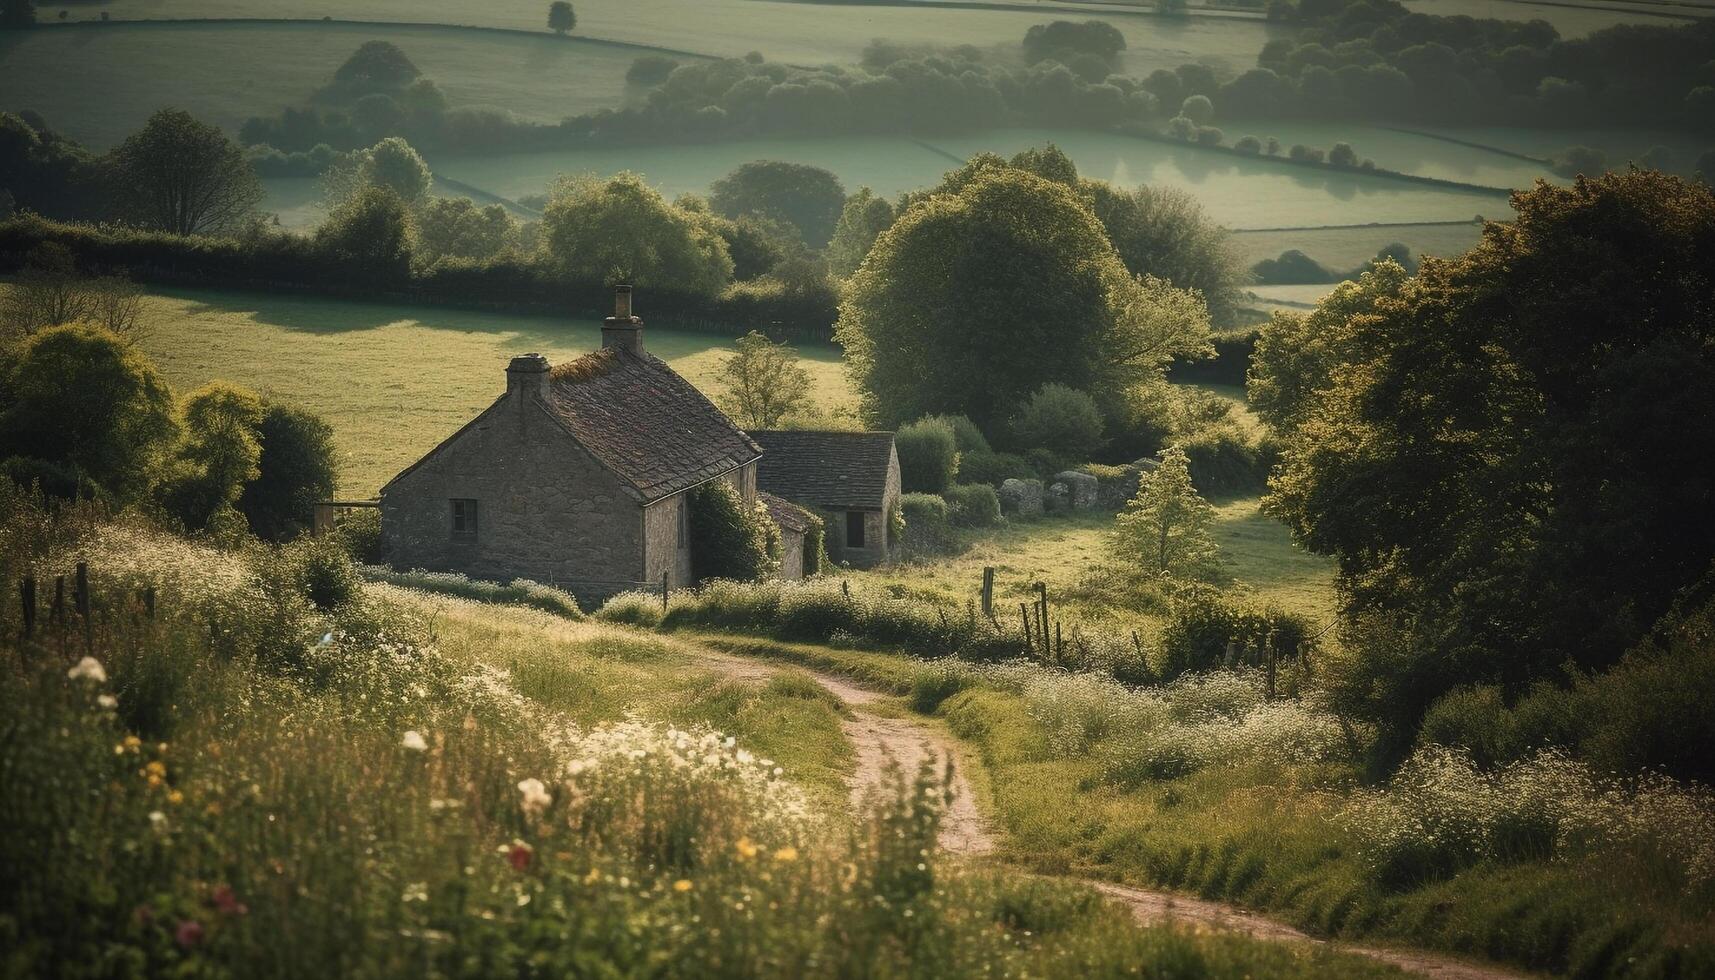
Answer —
646 423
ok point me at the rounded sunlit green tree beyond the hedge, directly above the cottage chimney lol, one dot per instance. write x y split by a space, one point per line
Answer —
623 231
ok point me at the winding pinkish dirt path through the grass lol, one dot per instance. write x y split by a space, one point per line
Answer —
879 737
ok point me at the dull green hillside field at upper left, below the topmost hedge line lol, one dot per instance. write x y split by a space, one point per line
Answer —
100 83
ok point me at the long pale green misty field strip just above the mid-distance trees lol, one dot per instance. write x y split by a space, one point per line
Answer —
1237 193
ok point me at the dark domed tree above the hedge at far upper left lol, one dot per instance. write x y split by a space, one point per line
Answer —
184 176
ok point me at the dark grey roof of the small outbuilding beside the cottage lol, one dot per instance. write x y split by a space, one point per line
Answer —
826 469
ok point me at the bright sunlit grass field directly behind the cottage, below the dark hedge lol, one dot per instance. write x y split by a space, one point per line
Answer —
397 380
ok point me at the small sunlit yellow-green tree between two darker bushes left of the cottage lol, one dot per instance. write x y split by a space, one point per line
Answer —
219 456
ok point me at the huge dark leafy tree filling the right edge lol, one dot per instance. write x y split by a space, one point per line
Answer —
1510 457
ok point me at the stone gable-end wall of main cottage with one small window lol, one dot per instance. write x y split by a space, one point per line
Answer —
546 509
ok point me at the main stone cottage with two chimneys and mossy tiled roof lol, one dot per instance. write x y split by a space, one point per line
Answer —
575 476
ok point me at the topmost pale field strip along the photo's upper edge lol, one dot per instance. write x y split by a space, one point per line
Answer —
803 33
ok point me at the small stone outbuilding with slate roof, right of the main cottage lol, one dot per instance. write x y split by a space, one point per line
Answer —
850 478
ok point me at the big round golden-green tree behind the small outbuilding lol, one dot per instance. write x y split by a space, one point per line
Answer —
975 299
